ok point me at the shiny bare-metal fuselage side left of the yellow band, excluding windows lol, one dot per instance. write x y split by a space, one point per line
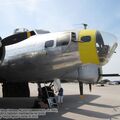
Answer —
29 60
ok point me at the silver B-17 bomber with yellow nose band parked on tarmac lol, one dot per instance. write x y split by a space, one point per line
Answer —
41 57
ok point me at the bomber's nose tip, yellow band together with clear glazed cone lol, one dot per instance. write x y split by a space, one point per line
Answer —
96 47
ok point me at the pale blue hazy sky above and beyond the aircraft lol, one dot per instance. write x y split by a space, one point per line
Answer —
60 15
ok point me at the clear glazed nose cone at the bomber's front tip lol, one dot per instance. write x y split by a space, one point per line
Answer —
106 45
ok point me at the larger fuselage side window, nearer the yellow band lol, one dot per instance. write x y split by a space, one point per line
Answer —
63 40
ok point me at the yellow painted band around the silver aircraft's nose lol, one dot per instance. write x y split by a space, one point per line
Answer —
87 50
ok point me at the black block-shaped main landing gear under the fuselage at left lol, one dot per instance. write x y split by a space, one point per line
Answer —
11 89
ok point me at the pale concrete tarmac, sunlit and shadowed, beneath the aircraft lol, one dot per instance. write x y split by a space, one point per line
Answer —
103 103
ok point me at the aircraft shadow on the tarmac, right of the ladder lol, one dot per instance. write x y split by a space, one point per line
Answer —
71 109
